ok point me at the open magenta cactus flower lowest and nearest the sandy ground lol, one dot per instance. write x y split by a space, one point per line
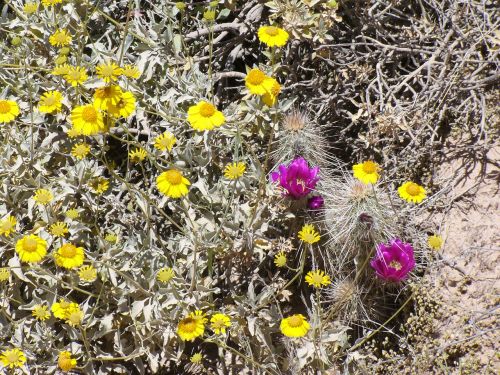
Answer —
393 261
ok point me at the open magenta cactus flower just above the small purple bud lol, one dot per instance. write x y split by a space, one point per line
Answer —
297 179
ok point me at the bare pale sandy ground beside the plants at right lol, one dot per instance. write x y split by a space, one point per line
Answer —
467 281
